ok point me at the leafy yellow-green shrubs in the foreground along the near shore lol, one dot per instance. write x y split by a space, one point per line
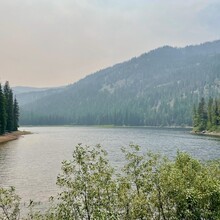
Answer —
147 187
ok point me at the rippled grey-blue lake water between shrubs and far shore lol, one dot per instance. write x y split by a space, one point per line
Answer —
32 162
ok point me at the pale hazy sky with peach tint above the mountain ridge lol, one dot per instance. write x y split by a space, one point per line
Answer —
57 42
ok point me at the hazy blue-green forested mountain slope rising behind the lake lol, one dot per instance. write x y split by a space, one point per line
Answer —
157 88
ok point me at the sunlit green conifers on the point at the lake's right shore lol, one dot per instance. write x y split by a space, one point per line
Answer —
207 115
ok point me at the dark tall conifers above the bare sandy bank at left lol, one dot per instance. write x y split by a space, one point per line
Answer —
9 110
